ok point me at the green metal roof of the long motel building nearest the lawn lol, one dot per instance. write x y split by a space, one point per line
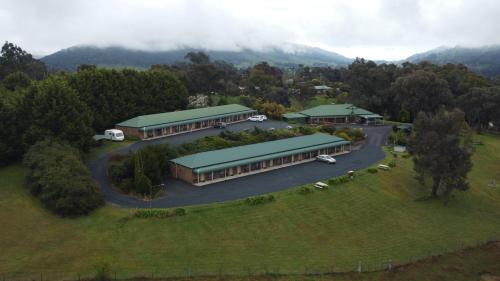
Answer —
230 157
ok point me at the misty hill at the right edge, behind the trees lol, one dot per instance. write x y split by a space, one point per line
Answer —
484 60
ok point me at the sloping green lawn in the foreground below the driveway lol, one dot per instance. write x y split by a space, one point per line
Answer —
371 220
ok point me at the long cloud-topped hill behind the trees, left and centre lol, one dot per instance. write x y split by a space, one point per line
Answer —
118 57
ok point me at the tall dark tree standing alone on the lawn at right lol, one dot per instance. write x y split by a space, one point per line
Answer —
441 145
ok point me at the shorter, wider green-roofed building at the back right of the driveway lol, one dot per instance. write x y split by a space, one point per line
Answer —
335 114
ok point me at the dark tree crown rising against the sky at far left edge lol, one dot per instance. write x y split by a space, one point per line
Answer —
13 59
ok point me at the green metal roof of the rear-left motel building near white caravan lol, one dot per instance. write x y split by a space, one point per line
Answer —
185 116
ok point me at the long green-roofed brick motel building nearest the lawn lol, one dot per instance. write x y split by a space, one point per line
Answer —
219 165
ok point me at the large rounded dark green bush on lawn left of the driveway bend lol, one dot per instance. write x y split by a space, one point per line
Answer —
60 179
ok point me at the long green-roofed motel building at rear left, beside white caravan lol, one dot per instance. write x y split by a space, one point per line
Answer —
161 125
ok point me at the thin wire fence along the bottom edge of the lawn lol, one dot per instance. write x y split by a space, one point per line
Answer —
220 270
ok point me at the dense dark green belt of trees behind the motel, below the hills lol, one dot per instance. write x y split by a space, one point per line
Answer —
42 111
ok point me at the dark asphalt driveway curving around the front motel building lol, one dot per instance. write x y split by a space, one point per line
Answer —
180 193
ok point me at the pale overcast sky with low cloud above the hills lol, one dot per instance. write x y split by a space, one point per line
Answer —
377 29
